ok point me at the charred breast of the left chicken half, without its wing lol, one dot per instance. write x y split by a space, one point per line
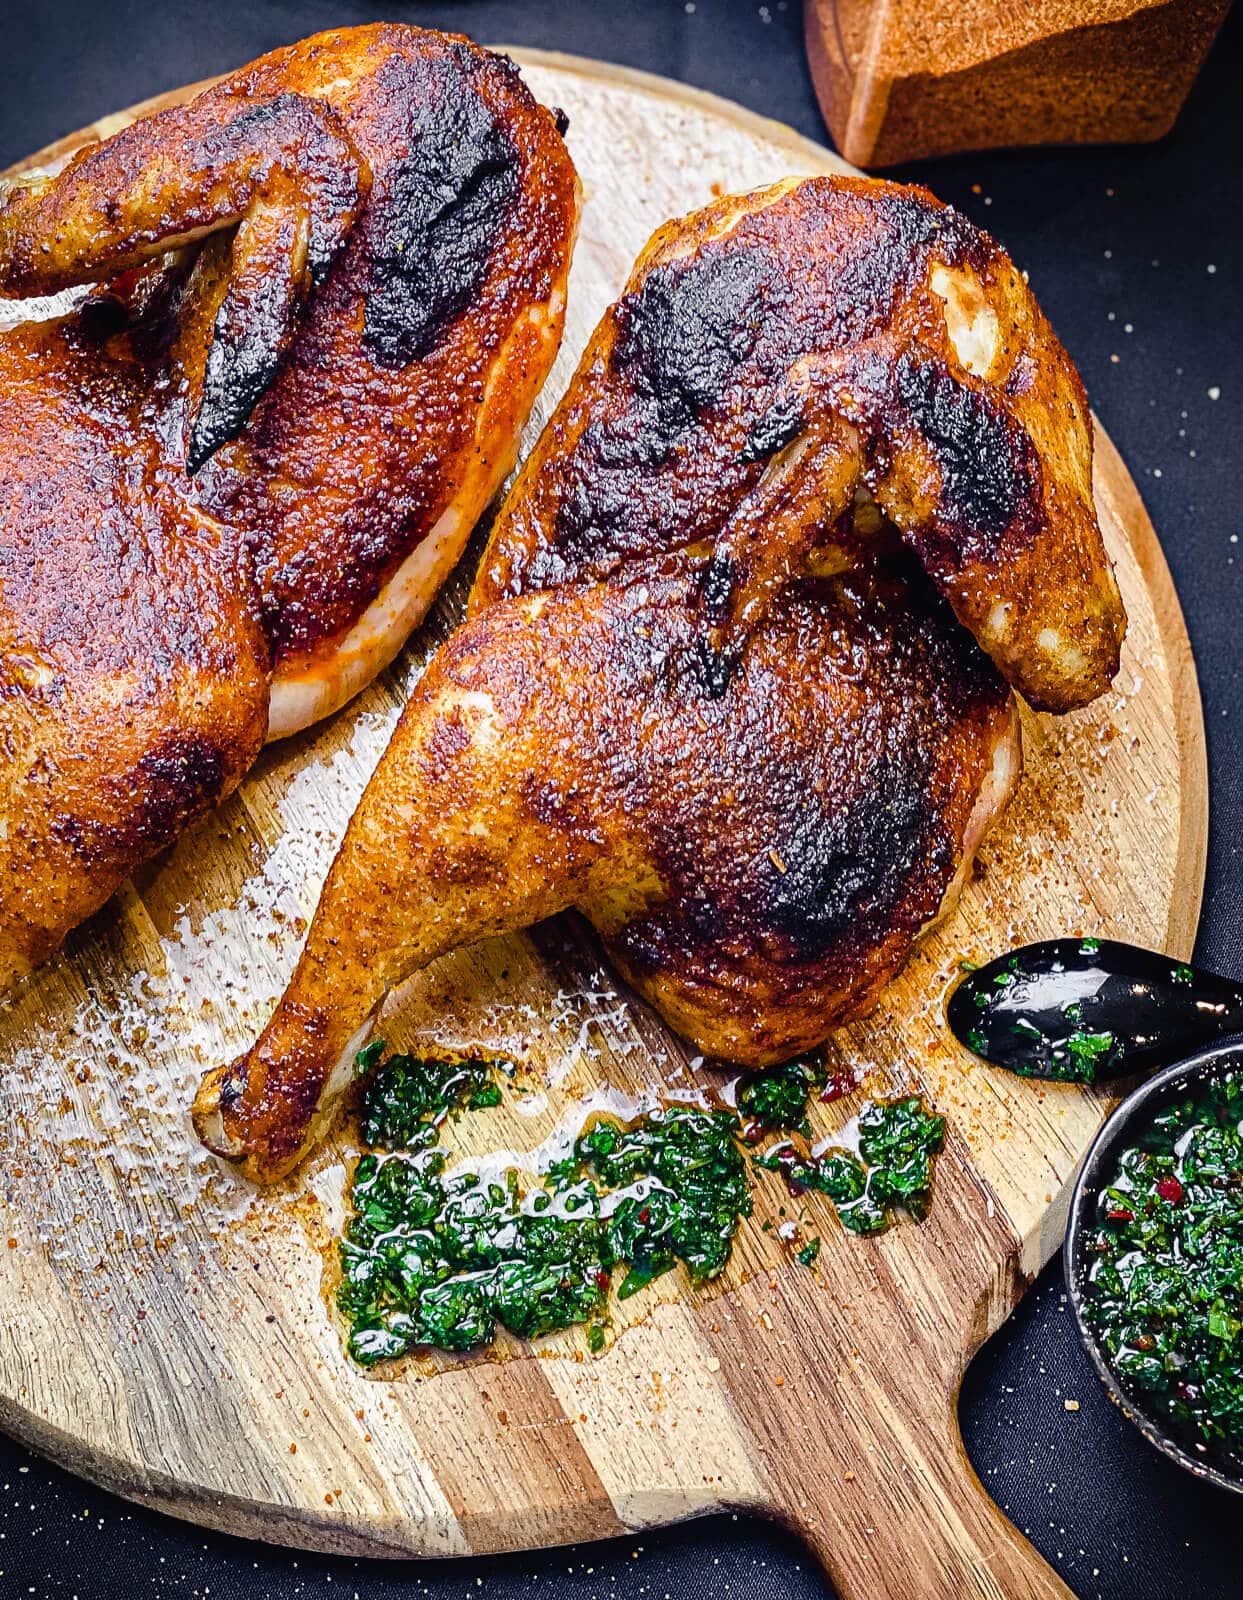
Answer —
398 414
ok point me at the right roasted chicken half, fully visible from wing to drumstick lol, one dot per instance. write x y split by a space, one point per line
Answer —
713 690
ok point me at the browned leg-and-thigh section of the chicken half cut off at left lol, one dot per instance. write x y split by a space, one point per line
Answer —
134 671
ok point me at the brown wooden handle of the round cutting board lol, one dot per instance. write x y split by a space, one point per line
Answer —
919 1530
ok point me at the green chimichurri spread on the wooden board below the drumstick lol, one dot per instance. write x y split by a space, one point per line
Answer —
442 1258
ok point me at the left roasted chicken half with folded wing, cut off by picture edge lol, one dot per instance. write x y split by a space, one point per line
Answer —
236 474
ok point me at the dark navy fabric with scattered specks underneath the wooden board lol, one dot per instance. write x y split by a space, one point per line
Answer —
1137 257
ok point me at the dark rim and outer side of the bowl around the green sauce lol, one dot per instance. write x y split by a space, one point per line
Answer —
1098 1169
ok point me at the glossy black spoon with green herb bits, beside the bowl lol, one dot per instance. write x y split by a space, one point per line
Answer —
1089 1010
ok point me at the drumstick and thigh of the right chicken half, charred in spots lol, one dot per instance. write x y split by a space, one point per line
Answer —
759 862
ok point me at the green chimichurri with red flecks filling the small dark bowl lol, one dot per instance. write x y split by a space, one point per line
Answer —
1165 1289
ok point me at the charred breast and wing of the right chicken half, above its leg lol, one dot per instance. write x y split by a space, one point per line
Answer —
777 356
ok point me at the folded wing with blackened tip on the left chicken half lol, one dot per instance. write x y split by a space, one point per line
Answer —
284 177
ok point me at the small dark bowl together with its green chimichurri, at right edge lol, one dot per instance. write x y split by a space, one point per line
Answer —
1154 1262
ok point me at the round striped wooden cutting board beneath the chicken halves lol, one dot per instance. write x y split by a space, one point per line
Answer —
167 1332
